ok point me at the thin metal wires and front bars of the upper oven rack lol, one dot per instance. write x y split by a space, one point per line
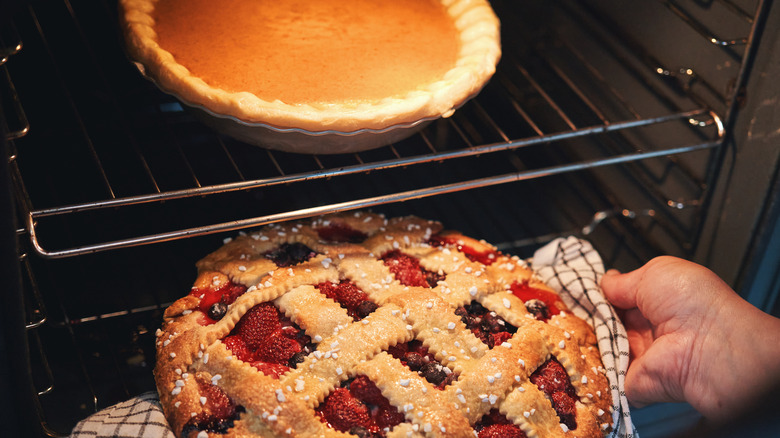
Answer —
426 149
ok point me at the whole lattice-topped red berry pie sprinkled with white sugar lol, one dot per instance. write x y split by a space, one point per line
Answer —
356 325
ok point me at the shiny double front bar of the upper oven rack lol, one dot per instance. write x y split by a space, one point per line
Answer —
35 216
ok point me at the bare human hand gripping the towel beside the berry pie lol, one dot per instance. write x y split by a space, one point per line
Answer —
692 338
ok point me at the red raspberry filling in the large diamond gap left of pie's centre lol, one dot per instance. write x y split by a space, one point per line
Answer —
268 340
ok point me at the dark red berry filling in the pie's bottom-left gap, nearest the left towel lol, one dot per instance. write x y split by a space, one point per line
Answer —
218 414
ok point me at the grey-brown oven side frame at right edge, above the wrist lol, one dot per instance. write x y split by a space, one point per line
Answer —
743 213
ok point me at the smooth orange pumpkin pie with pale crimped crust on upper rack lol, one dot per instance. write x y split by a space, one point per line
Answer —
340 65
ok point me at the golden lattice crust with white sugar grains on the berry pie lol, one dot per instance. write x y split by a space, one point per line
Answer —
487 378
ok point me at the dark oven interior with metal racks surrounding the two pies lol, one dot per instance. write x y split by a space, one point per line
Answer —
647 127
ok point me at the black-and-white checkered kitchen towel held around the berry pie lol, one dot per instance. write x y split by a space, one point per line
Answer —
571 266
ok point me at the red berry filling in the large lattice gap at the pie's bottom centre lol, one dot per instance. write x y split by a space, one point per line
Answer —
359 408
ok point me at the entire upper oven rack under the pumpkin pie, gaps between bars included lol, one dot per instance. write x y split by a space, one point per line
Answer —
573 93
